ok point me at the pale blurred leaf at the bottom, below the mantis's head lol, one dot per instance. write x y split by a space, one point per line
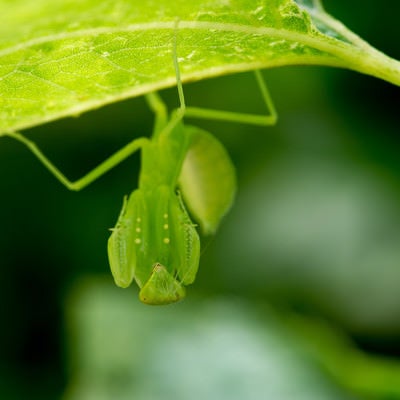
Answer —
225 349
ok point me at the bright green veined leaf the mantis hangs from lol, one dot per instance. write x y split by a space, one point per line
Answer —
62 58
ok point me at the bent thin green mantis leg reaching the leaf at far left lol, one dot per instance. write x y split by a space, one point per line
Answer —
91 176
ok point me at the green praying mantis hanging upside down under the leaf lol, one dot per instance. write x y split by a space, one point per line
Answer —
184 169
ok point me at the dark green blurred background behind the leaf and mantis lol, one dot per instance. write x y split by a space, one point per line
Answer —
297 296
